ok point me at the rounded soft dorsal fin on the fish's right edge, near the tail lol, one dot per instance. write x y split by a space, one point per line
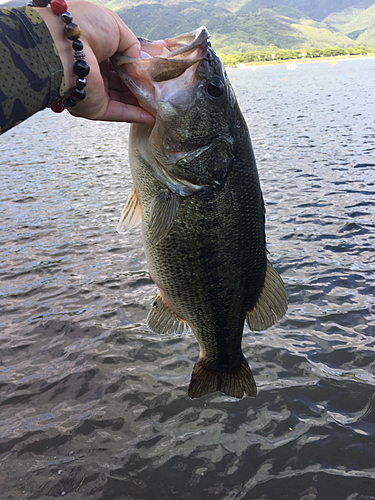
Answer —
272 302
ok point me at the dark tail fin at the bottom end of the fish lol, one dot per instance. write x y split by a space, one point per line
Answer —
235 383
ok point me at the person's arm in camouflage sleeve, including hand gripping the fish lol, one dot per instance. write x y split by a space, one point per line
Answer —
39 62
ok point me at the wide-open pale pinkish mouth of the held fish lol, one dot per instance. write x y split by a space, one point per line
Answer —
152 76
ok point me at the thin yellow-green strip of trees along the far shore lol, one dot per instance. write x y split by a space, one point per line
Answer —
275 54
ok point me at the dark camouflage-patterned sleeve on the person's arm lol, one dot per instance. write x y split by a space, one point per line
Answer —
31 72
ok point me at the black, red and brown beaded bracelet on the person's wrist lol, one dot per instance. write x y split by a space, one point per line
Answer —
81 69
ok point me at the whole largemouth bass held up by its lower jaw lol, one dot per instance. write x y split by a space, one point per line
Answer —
198 197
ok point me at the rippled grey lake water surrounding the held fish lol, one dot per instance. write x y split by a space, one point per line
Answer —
92 405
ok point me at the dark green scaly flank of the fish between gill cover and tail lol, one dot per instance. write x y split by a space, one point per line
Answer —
216 245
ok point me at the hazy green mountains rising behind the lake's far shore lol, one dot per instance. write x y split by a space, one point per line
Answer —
241 25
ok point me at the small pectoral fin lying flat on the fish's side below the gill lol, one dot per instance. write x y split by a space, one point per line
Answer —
163 211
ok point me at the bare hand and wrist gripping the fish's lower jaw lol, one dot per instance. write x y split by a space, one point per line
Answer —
102 33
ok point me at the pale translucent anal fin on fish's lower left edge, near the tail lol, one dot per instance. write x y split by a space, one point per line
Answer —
161 318
